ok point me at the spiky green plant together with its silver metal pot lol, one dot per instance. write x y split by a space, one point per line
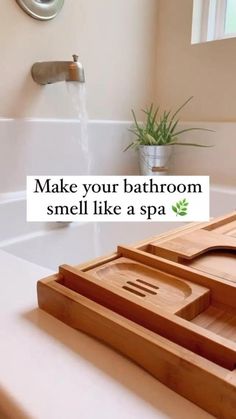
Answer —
155 138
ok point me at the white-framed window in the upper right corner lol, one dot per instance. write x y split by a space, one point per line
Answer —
213 19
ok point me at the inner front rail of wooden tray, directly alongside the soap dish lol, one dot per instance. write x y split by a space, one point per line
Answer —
182 332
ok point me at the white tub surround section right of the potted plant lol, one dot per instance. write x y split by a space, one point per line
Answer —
218 161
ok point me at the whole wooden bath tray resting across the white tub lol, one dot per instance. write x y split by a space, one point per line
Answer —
176 322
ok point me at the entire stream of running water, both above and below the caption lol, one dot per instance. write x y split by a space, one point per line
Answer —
77 92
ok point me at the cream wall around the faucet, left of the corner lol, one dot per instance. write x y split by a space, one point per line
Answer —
116 40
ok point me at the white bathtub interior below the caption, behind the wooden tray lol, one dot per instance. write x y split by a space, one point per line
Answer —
79 242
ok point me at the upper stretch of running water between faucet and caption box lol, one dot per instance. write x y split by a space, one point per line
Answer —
77 92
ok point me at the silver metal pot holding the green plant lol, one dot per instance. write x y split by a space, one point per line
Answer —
154 159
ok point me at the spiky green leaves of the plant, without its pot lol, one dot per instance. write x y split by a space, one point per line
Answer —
162 130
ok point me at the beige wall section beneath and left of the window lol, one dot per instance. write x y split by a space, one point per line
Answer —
206 71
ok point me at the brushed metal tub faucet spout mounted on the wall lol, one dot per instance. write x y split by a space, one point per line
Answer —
54 71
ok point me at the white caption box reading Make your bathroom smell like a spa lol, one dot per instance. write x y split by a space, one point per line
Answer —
117 198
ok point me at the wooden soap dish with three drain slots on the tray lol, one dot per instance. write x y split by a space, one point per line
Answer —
156 288
